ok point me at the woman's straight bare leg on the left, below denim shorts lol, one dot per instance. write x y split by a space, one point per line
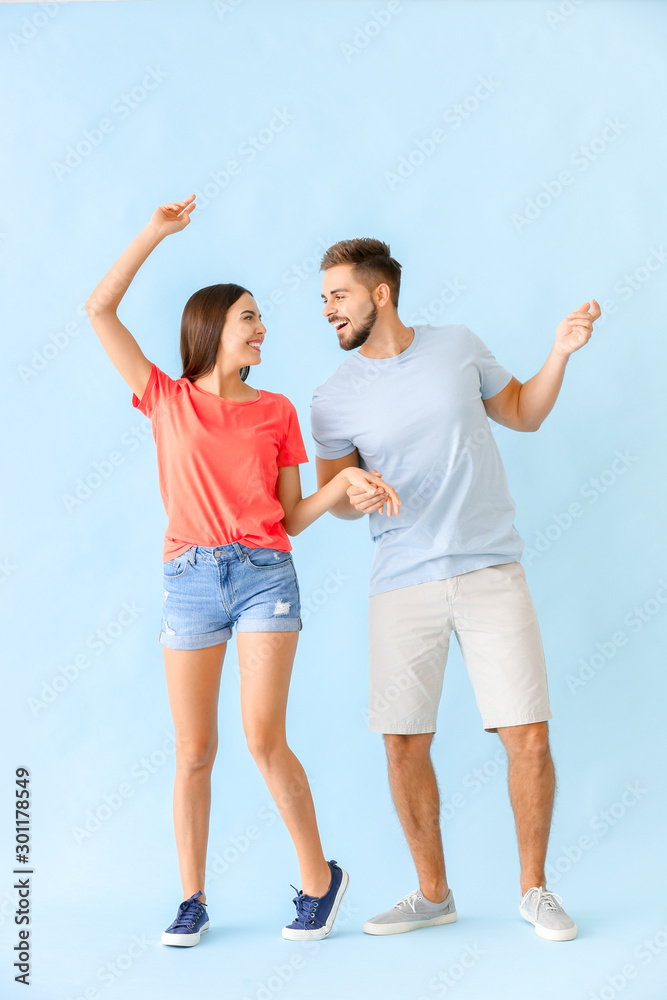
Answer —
193 680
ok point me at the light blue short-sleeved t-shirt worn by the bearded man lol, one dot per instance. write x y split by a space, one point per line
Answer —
419 419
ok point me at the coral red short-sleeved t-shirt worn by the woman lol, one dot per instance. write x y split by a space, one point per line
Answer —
218 463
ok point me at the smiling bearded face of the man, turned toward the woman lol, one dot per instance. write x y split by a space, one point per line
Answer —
348 306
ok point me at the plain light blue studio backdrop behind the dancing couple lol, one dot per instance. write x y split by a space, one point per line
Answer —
67 573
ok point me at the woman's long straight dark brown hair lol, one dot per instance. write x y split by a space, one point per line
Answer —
203 318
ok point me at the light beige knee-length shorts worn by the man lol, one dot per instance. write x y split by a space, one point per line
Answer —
492 614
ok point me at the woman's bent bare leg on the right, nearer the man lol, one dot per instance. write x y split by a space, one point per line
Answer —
265 660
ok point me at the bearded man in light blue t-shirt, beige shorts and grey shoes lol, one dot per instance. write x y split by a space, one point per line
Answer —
414 402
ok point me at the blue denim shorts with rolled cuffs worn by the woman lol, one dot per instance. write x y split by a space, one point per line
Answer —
207 590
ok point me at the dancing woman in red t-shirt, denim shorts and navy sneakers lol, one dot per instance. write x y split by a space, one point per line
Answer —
228 458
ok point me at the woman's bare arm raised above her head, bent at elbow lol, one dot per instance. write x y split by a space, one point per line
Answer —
101 306
